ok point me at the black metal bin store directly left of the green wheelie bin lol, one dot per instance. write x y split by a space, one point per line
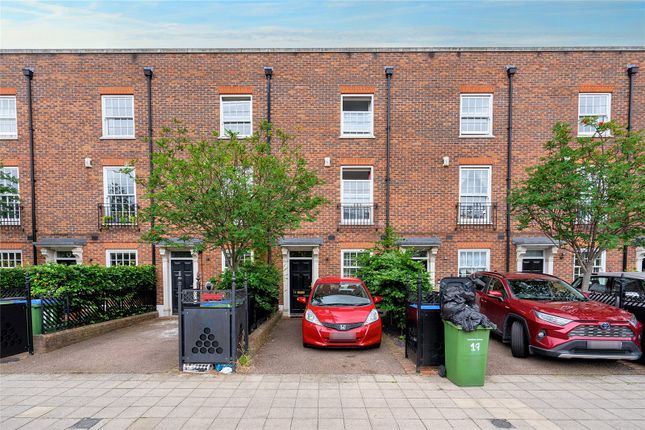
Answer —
424 330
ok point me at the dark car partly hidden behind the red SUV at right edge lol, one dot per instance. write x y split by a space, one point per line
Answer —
623 289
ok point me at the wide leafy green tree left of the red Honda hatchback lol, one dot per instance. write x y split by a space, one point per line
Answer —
235 194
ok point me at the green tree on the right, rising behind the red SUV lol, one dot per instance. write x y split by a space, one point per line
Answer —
587 193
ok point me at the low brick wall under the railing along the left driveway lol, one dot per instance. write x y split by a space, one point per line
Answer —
49 342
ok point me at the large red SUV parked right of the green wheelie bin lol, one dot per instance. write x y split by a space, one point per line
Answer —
542 314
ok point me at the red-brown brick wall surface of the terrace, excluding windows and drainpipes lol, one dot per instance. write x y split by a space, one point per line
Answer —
306 102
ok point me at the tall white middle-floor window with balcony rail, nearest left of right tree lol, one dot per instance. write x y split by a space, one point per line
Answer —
475 195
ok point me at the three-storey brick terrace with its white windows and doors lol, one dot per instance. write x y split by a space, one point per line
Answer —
448 148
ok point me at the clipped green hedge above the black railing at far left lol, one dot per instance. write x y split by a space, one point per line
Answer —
62 280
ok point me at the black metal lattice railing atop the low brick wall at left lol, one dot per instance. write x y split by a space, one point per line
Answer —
65 312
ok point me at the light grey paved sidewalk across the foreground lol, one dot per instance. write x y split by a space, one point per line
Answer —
173 401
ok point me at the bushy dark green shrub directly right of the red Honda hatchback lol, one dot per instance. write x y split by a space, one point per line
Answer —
388 271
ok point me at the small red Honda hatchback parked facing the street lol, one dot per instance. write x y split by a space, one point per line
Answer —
340 312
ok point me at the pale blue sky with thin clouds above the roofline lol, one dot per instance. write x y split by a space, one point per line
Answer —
301 23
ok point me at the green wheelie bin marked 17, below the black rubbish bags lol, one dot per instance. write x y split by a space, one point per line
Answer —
466 355
